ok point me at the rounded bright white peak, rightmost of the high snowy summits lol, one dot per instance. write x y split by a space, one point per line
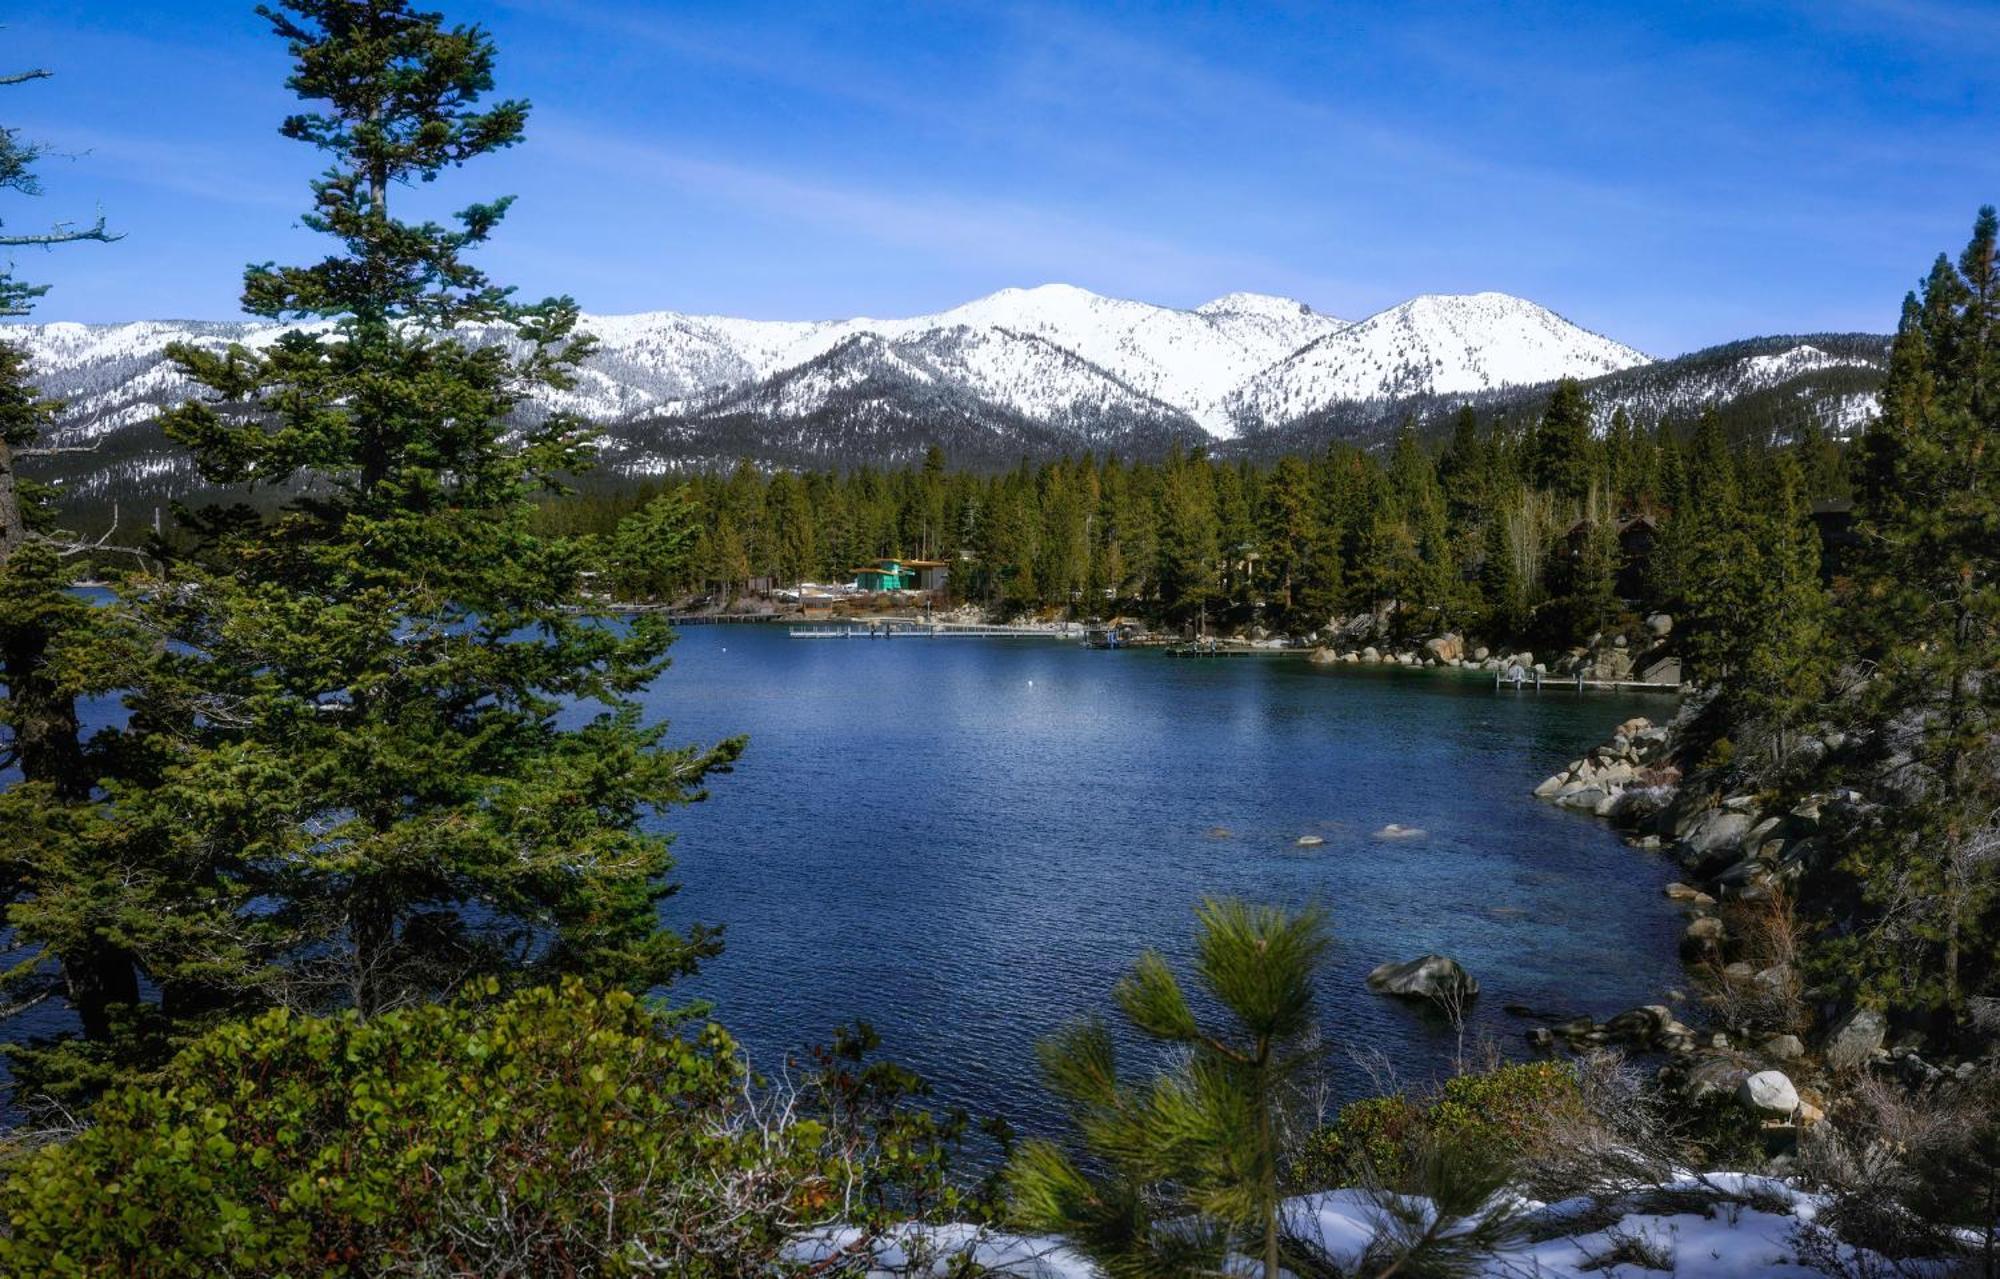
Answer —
1427 347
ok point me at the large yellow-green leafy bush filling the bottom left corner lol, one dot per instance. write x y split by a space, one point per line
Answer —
555 1134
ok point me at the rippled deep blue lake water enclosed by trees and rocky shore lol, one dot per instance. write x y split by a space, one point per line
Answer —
969 840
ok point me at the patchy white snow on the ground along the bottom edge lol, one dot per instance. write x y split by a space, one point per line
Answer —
1713 1226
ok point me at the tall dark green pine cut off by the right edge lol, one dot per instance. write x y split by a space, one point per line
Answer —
1929 605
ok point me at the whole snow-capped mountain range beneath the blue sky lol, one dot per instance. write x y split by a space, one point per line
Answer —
1021 373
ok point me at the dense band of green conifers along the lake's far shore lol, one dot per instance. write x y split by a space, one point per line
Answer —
1539 535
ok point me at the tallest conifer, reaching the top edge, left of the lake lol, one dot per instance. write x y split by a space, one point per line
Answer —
397 648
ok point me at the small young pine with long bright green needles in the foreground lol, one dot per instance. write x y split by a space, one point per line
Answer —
1193 1162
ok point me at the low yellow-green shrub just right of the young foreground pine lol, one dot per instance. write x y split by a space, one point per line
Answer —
1495 1116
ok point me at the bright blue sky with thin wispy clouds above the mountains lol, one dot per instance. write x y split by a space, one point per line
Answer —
1671 175
